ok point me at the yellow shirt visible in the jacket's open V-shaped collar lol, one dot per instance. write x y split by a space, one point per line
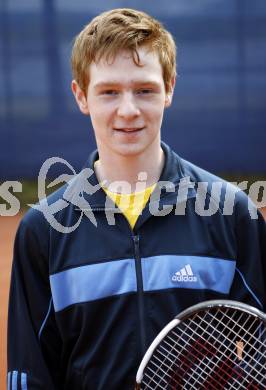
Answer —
131 205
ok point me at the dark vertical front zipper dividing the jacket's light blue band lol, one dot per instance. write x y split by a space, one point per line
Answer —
140 293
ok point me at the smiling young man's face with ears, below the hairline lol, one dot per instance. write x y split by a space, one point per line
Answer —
126 103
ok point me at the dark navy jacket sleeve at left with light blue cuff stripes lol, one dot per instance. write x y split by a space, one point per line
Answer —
34 343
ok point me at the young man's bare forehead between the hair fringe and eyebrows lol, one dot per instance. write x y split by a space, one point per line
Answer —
122 69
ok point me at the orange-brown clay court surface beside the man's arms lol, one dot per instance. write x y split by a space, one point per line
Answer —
8 226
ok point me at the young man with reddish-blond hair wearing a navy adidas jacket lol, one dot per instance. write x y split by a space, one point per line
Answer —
84 306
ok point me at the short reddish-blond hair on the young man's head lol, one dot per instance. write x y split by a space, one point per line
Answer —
122 29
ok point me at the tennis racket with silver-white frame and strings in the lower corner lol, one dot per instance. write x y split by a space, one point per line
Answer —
214 345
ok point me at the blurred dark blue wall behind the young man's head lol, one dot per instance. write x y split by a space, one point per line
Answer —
218 116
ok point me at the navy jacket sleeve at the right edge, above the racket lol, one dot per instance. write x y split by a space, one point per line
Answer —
250 280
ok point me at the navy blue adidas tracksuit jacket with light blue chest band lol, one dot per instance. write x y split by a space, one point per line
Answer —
85 305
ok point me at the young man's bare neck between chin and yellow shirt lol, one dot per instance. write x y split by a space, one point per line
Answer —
145 168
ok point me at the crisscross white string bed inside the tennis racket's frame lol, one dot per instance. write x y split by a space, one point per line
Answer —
224 368
